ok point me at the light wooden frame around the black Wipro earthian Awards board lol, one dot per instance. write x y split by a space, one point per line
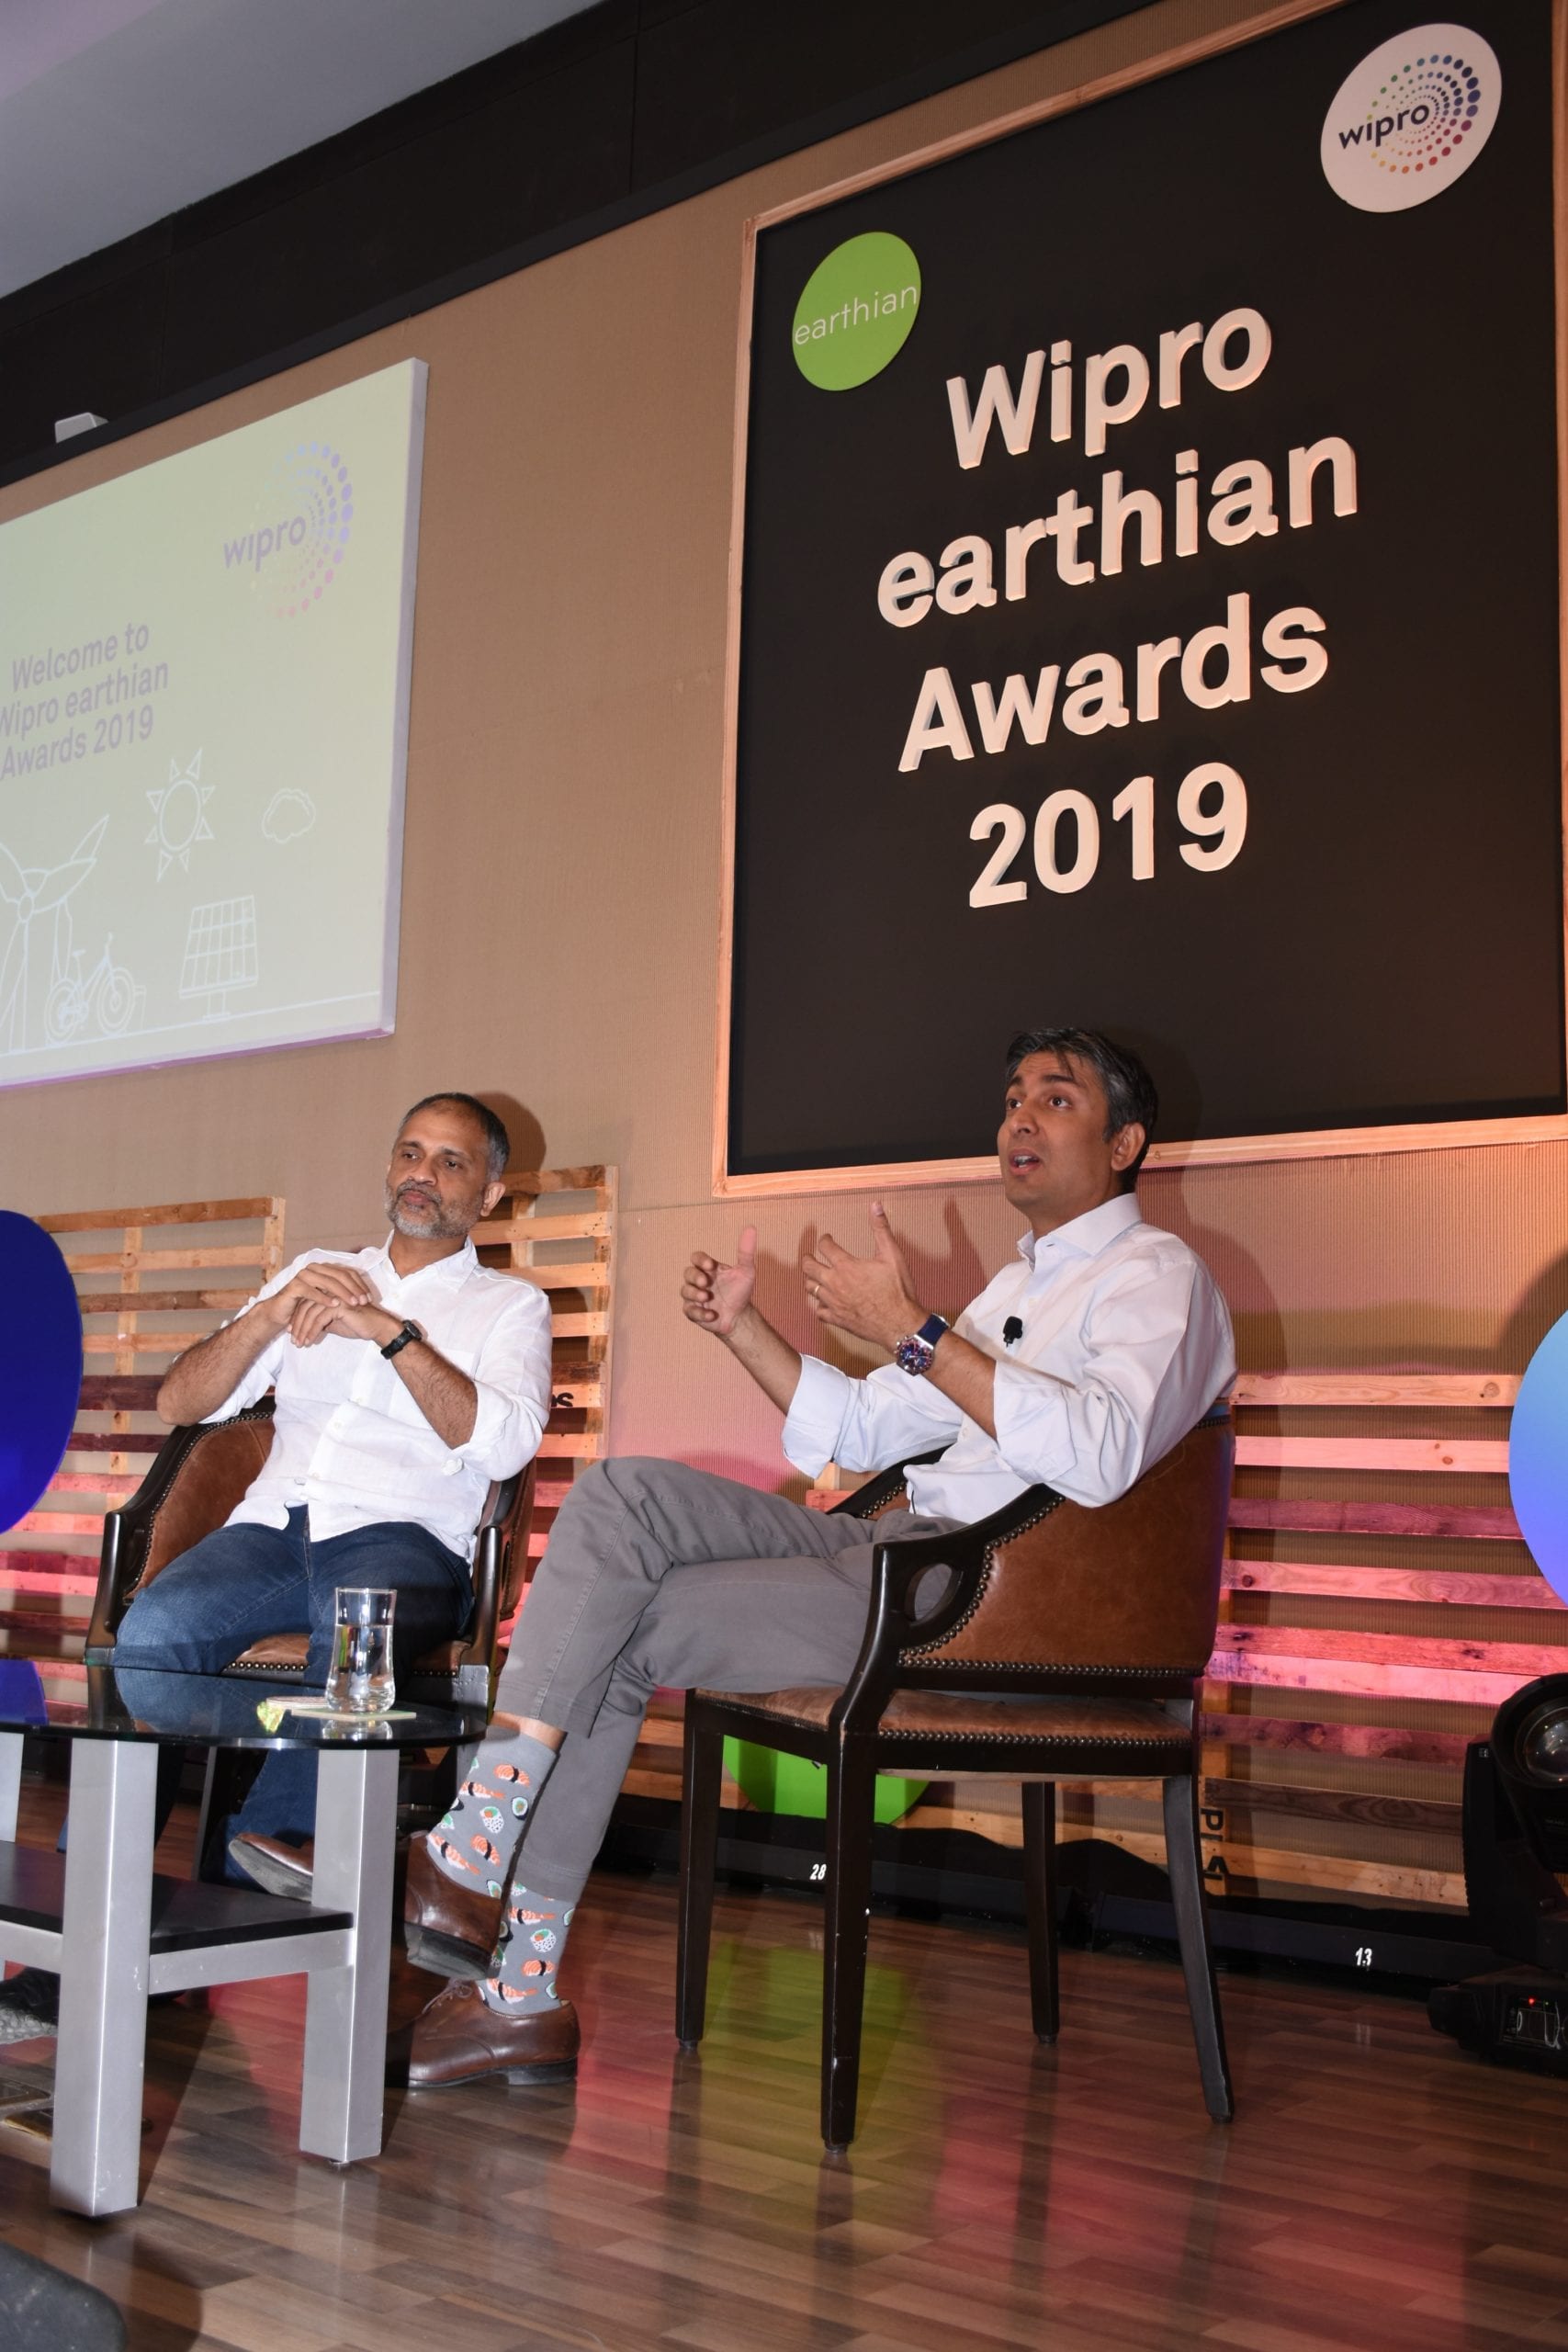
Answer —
1318 1144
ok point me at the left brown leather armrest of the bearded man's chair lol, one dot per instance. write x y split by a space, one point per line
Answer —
192 1488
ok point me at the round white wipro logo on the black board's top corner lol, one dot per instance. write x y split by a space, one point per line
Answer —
1412 119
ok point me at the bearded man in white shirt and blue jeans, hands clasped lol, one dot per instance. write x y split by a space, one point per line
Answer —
406 1377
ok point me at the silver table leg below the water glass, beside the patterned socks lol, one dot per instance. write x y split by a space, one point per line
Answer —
356 1826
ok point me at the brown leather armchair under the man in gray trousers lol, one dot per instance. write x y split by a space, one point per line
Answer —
1068 1648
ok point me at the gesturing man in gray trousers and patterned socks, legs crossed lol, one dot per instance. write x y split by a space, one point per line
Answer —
1078 1368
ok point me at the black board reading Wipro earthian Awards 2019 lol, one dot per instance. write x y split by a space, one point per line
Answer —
1367 930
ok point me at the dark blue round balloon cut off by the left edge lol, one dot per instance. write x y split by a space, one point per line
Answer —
41 1365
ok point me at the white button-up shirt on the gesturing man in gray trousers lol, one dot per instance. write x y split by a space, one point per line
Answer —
1125 1347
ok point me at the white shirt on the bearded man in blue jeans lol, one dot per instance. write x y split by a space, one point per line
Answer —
351 1443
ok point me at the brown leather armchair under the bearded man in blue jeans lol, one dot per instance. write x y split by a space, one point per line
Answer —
196 1481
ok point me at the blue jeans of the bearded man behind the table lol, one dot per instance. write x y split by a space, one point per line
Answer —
248 1582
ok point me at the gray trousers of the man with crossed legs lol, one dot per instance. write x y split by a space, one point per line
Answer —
662 1577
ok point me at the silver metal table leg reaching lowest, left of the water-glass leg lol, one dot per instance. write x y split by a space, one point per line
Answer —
105 1977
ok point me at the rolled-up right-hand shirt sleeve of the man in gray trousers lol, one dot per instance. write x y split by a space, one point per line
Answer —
1148 1342
